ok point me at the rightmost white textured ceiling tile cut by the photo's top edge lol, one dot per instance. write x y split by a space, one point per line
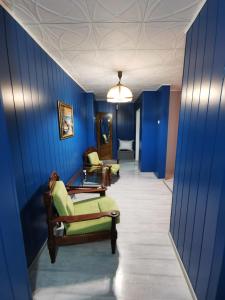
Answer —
171 10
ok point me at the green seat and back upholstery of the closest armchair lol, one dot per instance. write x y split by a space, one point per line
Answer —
66 207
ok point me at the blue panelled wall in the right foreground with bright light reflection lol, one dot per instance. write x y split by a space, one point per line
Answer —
197 217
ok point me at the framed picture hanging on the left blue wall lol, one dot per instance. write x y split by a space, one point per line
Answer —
66 122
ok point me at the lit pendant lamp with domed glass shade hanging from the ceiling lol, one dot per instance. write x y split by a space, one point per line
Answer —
119 93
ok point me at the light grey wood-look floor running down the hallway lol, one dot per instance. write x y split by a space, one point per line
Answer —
145 266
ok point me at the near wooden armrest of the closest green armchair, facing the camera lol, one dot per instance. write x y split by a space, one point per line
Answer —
71 219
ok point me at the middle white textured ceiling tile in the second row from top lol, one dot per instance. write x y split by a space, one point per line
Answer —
116 36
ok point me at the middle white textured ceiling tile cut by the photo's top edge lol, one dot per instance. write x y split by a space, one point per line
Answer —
117 10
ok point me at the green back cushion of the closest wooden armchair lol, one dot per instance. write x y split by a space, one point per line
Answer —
60 198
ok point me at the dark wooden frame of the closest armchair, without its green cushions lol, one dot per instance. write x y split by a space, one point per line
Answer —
53 220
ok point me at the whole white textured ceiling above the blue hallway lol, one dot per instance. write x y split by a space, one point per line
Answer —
93 39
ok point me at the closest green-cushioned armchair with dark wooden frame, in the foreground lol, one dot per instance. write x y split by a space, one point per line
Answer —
84 221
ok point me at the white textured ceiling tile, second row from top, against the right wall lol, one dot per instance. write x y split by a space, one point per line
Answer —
162 35
